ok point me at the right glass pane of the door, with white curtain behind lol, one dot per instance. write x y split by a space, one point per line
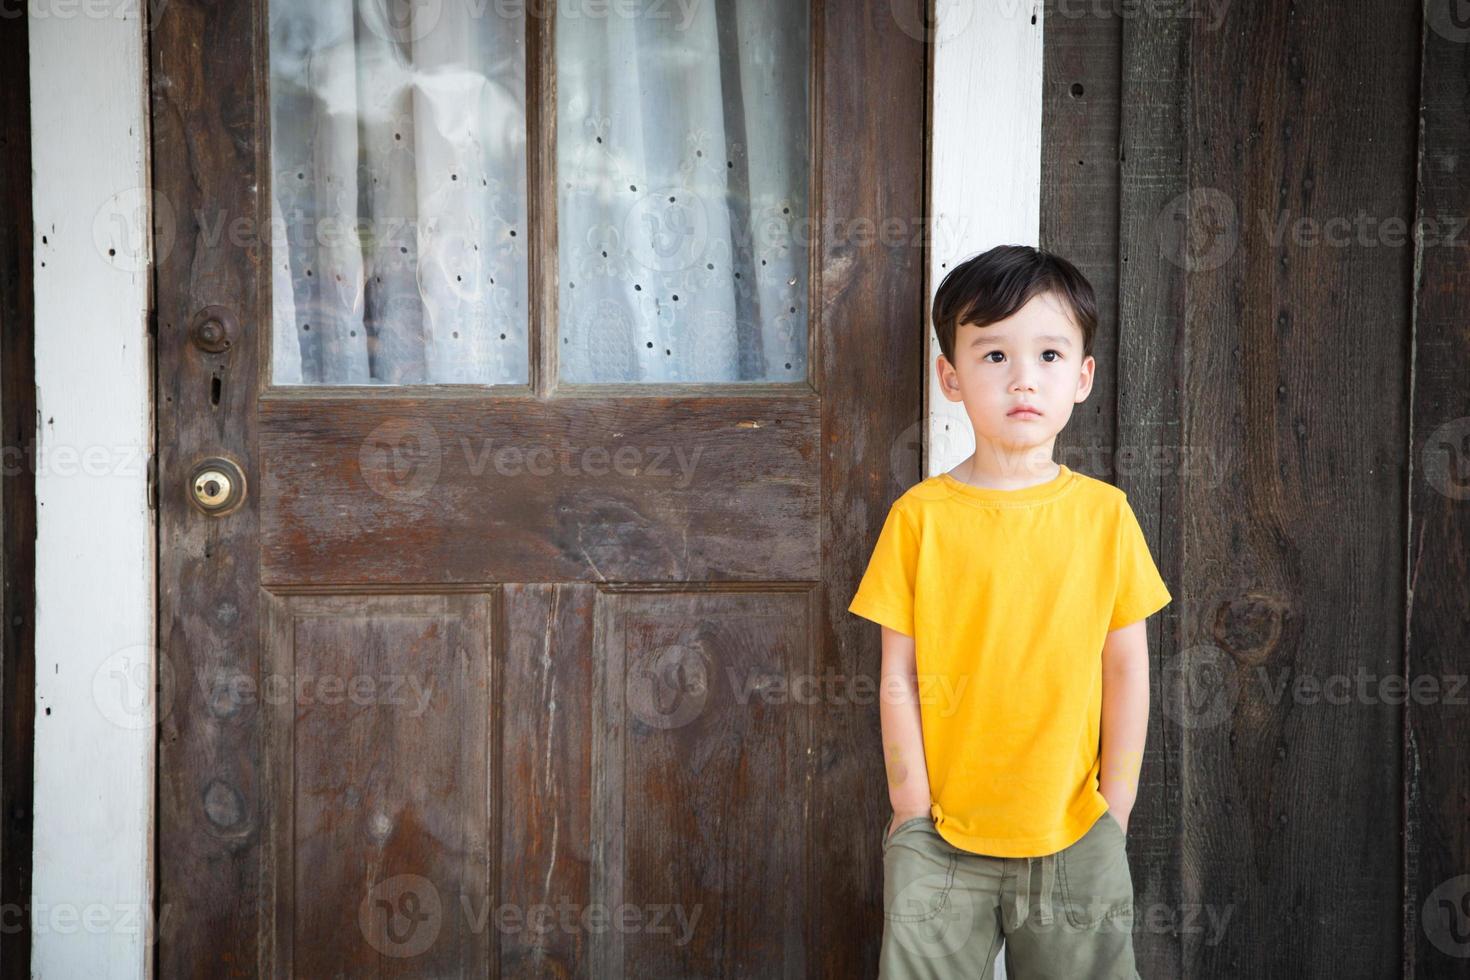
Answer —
683 161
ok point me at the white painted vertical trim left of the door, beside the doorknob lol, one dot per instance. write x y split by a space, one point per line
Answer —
95 563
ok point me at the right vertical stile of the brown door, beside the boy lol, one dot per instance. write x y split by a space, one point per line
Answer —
871 370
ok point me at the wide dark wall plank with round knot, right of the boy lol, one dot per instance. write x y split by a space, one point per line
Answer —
1296 355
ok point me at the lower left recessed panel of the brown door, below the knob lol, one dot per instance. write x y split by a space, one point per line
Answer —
381 715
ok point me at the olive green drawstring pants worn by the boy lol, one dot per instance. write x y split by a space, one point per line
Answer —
947 910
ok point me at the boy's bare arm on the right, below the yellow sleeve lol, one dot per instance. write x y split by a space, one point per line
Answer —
1125 718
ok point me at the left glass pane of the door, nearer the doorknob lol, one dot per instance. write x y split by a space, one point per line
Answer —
399 193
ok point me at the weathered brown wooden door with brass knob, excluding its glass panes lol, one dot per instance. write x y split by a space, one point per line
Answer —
434 712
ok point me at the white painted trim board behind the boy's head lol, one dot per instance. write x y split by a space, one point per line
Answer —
984 170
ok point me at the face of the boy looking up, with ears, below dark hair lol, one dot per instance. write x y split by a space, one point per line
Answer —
1033 358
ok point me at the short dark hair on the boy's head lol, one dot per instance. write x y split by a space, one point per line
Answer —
994 284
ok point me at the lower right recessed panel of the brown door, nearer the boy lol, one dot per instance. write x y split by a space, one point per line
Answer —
700 779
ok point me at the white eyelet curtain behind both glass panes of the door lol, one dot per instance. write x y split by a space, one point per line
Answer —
401 192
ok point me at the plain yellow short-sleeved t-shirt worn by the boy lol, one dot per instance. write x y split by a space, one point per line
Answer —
1009 597
